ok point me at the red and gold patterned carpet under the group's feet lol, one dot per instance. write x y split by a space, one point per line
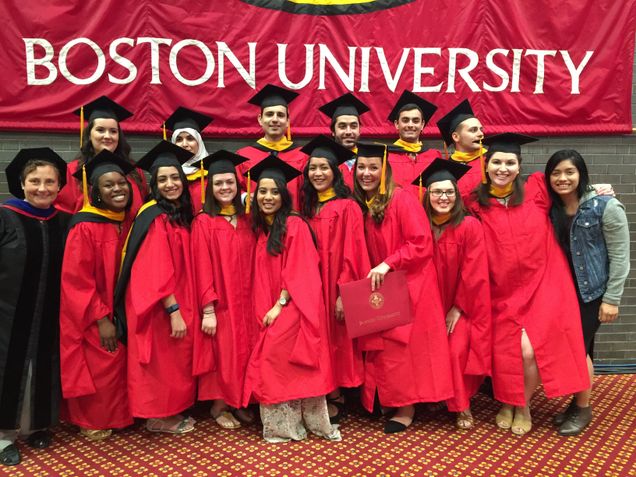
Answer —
431 447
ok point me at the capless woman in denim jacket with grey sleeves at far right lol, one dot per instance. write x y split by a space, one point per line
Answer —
593 232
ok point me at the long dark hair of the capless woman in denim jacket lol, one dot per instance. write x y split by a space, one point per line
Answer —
557 211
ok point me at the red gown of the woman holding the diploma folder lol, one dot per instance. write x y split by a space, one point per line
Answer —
410 363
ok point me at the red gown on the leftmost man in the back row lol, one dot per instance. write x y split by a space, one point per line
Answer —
292 156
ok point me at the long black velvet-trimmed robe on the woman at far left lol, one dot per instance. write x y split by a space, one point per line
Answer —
31 252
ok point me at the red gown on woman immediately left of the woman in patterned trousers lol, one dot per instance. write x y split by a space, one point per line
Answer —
223 259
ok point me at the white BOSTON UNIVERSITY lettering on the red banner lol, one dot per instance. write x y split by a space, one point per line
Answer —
462 65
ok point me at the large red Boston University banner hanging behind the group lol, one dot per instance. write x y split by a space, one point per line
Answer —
541 67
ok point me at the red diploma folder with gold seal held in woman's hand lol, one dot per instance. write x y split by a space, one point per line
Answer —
368 312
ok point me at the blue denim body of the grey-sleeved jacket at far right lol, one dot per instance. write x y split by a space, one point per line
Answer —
588 249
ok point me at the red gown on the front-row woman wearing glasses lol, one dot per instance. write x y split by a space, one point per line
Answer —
462 273
